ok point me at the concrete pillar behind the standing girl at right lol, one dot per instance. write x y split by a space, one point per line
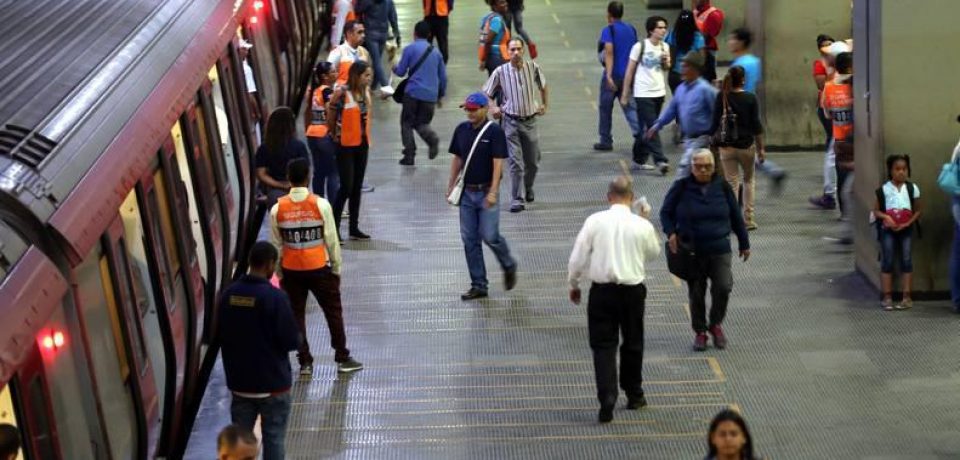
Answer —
907 102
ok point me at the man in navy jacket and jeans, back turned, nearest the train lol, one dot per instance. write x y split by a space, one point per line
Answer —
257 332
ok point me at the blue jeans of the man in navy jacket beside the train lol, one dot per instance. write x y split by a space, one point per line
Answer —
274 412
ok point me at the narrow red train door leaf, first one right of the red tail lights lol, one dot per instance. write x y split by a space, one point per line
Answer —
129 334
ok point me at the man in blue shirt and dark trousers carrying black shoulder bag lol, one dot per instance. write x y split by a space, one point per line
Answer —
422 93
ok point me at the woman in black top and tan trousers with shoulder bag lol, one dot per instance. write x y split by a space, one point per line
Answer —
739 134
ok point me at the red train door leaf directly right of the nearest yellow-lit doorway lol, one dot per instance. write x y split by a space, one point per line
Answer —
171 291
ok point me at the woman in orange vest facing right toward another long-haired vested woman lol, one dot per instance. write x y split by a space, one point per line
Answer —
326 178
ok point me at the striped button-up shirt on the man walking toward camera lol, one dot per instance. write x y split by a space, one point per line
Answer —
520 88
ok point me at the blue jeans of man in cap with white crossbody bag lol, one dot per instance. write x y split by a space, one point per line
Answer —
478 223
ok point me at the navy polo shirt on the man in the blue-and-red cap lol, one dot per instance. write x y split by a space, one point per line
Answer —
492 145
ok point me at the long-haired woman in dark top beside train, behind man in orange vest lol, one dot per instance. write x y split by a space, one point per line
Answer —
280 145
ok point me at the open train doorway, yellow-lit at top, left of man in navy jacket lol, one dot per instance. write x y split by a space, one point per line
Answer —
155 323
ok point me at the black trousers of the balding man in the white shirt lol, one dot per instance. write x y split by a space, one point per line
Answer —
614 310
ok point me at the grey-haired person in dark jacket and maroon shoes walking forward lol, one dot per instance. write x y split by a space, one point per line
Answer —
699 213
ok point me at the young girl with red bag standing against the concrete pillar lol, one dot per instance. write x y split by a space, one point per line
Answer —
897 211
